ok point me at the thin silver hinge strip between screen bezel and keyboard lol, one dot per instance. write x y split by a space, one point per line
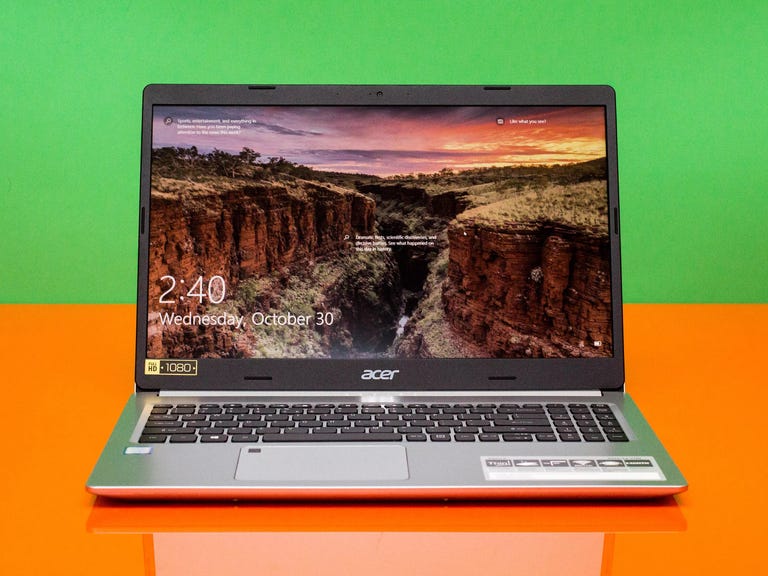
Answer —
382 395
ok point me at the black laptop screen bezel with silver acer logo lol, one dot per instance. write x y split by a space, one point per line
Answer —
412 375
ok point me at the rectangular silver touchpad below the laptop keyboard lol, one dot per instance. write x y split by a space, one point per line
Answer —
321 463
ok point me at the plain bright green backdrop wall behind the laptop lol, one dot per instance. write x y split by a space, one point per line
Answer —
691 79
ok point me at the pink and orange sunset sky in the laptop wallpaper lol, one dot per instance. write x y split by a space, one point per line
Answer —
393 140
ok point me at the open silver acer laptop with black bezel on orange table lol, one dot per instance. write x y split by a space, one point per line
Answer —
380 292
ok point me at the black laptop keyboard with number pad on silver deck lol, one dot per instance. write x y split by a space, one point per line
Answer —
387 422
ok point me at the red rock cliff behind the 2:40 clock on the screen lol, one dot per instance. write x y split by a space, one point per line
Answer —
235 230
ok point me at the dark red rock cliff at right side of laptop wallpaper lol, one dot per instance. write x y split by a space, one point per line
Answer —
529 289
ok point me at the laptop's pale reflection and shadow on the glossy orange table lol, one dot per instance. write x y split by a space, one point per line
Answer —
382 538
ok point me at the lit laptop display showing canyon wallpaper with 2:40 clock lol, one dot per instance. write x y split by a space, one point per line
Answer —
379 232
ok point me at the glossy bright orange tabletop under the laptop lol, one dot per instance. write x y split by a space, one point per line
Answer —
67 371
